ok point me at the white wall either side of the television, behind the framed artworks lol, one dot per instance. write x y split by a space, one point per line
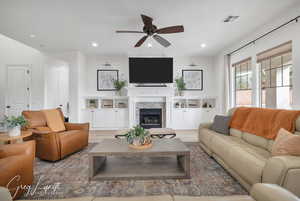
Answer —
121 63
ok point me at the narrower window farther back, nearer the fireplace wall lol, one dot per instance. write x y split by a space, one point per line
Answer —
243 83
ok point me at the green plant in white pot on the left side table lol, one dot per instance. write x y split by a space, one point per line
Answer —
14 125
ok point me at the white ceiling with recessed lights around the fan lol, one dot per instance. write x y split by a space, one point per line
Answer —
67 25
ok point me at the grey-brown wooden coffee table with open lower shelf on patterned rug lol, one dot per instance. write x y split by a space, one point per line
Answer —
113 159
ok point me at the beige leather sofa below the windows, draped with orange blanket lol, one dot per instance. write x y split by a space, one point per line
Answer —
248 158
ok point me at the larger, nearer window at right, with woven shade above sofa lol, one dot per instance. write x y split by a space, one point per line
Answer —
276 77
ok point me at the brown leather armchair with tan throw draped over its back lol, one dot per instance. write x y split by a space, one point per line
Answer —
53 146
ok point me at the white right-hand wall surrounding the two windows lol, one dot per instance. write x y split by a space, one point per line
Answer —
290 32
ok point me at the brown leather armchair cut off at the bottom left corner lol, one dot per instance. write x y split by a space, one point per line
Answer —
16 166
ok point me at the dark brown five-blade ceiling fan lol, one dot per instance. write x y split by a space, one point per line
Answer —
151 30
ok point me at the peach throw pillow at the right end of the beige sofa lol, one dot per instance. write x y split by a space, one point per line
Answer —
286 143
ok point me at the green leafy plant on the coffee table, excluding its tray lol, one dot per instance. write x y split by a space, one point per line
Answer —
138 136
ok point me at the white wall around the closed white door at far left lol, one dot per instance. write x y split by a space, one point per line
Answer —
15 53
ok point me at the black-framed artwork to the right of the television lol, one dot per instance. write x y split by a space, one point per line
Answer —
193 79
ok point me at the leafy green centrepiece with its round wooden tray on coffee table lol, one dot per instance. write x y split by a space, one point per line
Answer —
138 138
